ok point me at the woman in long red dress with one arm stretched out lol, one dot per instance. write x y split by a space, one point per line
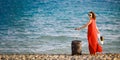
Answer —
92 34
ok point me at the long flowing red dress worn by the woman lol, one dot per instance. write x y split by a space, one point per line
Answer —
93 39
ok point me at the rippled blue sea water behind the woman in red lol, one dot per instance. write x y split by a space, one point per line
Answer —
47 26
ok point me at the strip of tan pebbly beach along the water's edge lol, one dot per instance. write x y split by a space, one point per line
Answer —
107 56
